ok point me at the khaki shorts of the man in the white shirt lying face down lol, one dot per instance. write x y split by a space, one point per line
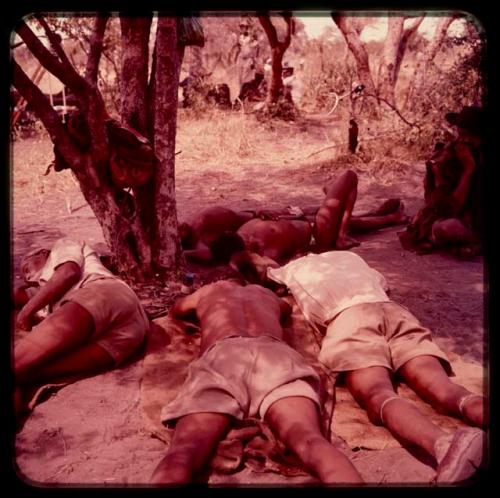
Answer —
376 334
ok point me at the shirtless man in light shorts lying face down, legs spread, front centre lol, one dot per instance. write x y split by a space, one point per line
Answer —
245 369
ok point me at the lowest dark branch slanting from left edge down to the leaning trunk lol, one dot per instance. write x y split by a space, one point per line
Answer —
48 115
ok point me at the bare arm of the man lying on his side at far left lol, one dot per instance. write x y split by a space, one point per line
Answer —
65 276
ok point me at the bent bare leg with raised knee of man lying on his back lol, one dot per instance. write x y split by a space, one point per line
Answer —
332 218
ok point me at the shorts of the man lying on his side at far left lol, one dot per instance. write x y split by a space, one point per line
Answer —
120 322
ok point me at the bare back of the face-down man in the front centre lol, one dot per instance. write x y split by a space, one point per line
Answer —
226 309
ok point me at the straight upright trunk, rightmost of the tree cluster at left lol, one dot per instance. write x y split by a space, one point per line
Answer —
167 249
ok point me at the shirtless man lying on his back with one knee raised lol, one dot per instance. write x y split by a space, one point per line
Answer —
280 239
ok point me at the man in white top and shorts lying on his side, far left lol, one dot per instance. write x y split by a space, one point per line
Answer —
95 320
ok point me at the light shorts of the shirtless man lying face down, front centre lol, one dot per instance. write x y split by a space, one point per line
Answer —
243 377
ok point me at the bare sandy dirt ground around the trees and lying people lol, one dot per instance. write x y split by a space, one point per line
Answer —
91 432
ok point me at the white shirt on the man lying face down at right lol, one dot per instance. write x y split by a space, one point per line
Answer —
325 284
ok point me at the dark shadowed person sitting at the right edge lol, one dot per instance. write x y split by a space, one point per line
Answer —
452 217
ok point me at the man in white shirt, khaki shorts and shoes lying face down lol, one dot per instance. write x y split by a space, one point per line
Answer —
370 341
